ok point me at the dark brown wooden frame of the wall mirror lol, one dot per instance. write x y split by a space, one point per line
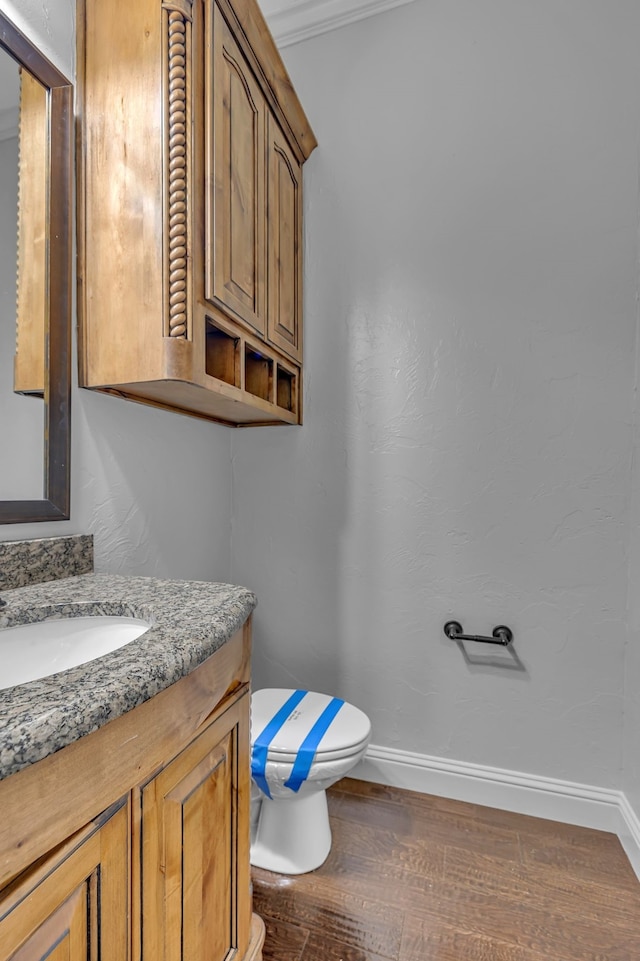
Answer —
57 387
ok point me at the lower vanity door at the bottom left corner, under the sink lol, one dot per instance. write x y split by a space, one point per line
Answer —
73 906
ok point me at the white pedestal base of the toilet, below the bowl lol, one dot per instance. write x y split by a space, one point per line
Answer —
292 837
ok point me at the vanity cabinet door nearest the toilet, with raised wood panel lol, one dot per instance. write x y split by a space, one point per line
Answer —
194 838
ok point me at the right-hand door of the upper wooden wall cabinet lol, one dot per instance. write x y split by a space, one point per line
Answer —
284 243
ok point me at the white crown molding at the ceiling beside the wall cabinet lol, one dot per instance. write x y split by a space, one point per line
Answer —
291 21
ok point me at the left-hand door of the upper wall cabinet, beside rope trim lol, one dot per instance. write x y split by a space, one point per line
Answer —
235 225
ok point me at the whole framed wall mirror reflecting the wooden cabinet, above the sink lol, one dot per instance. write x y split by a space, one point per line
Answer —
36 120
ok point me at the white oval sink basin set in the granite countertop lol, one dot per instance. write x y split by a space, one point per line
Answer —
32 651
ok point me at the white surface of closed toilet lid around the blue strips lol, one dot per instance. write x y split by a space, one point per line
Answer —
349 730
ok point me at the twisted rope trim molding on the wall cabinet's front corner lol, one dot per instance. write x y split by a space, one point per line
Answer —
178 34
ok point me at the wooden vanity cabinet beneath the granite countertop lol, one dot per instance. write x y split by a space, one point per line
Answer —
162 873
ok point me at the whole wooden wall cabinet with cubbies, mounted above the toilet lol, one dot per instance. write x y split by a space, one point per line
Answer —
190 209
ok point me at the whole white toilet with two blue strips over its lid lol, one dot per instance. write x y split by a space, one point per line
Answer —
301 743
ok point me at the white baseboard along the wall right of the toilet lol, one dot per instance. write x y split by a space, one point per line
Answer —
551 798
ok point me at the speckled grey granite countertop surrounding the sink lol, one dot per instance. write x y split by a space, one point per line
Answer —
189 620
